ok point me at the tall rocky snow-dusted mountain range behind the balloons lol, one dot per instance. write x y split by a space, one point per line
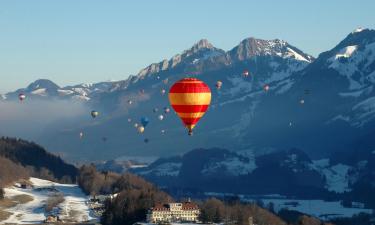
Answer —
320 105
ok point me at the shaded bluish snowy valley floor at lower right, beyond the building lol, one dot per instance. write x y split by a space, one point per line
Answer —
318 208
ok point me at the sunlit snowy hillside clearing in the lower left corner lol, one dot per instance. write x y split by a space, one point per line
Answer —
73 209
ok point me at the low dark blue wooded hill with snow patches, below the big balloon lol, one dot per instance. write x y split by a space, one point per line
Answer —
282 172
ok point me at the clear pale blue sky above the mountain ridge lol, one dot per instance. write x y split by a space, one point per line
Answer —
80 41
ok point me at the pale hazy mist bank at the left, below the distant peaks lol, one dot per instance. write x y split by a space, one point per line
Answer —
30 118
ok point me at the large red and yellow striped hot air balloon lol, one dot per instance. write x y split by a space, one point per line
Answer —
190 99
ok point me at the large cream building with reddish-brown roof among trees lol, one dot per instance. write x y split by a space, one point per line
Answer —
173 212
